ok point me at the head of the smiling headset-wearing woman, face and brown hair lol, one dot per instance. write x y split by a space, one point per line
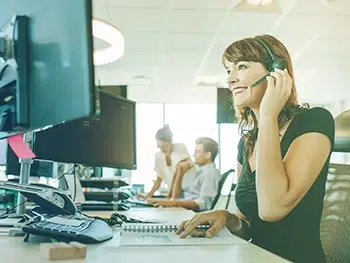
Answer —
248 67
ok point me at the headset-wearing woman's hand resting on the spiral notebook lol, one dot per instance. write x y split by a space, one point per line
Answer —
216 219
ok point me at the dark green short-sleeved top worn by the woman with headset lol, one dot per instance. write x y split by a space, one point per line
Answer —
297 236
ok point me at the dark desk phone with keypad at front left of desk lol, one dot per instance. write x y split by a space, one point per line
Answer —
57 216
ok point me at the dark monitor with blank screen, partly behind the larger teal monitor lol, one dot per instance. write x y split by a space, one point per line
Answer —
107 140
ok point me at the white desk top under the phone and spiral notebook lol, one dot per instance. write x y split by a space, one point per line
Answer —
12 249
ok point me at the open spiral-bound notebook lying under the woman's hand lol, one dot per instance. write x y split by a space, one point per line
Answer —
165 235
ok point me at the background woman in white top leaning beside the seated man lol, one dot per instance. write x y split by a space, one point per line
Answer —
167 162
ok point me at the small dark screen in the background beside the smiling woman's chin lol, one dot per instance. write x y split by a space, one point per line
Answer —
225 112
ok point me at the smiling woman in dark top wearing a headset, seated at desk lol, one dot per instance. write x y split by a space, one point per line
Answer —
283 158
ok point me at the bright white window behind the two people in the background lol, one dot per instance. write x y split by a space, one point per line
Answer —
187 122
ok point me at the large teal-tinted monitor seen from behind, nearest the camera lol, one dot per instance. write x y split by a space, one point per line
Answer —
46 63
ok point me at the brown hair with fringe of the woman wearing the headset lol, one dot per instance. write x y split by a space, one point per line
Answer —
250 49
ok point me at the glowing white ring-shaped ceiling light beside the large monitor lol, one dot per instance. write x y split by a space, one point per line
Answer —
113 37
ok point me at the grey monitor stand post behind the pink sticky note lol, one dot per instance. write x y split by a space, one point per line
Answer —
28 138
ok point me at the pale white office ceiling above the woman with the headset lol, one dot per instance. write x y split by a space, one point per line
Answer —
172 45
